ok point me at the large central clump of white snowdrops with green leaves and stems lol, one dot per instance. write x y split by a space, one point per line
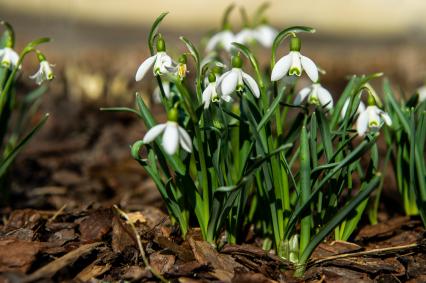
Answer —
246 147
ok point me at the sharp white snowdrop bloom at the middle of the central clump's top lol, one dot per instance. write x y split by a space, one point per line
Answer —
234 79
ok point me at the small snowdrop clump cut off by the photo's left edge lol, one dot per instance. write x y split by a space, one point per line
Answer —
16 111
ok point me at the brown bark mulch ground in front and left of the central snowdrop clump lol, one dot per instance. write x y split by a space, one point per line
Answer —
58 222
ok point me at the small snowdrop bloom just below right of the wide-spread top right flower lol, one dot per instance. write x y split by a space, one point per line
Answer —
316 95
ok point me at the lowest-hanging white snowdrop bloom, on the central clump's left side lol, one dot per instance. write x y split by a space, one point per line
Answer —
173 135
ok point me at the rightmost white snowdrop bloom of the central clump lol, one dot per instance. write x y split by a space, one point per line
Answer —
372 119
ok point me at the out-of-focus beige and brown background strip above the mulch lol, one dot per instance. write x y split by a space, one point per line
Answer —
353 36
